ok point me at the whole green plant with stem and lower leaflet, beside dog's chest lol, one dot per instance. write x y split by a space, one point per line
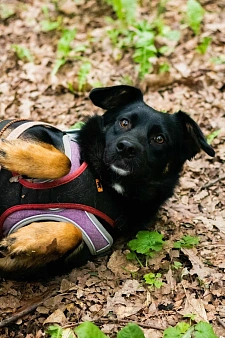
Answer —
146 244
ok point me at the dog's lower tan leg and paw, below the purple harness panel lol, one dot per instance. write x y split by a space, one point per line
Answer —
37 244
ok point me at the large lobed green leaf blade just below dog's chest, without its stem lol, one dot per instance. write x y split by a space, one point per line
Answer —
146 242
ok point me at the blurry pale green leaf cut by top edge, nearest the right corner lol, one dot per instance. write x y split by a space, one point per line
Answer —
195 14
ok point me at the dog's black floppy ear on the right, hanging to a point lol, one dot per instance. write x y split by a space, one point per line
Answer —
194 139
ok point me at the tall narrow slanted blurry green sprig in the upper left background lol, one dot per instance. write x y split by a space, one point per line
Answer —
63 48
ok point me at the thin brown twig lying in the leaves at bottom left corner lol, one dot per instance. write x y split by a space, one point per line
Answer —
27 310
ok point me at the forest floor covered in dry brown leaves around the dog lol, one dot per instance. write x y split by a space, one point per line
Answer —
111 291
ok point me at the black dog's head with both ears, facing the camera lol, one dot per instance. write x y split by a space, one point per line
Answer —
142 141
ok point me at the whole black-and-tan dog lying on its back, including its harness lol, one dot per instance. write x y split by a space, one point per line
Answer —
129 163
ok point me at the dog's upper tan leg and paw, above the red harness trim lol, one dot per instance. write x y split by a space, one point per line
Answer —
35 160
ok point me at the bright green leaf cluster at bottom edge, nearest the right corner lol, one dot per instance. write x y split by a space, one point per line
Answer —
184 330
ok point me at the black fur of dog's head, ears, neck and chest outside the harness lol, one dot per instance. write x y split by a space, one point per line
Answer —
151 170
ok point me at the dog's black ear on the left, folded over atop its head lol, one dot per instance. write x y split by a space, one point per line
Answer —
115 96
